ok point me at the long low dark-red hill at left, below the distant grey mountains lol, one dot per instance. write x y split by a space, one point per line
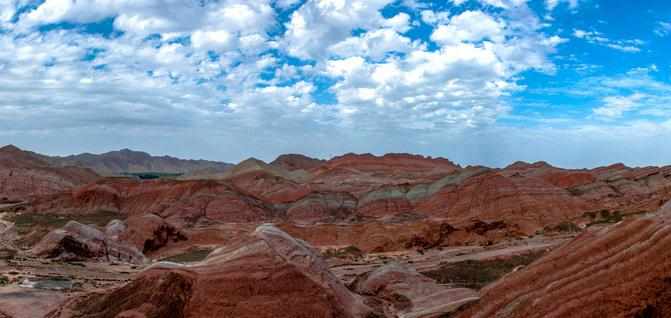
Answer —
179 201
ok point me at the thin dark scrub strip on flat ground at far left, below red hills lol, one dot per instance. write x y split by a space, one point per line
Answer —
26 222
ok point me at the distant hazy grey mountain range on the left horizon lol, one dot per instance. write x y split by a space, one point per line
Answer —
129 161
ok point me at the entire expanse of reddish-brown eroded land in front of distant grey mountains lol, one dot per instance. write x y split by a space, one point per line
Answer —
355 236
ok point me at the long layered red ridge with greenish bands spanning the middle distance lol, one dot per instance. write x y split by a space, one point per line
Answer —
440 202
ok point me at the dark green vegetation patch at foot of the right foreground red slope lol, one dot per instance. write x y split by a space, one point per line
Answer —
478 274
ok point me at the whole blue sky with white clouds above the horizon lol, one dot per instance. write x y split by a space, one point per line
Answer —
578 83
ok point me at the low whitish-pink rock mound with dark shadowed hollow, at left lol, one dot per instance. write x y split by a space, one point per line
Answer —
78 241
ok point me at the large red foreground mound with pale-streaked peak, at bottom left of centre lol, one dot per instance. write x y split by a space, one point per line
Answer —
268 274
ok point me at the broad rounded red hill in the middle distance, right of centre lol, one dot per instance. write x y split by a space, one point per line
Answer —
527 202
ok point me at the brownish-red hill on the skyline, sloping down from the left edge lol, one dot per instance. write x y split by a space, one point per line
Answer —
24 174
